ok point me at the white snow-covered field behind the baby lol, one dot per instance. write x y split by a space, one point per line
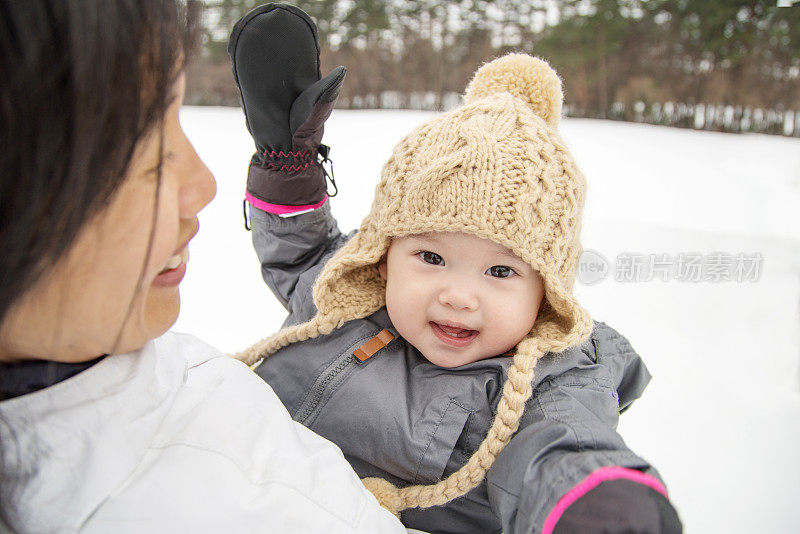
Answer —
721 418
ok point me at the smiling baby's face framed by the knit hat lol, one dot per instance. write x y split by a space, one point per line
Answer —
459 298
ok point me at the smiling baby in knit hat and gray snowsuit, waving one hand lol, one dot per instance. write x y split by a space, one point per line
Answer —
440 346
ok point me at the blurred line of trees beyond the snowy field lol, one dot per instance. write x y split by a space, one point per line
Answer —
724 65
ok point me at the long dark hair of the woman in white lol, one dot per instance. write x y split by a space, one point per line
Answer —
81 82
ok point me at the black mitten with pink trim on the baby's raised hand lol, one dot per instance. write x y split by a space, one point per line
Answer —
274 50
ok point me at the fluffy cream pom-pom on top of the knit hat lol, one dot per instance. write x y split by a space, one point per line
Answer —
526 77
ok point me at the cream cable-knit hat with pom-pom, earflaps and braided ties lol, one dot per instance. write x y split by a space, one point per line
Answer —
495 168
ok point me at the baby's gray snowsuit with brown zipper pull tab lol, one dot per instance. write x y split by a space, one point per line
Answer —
399 417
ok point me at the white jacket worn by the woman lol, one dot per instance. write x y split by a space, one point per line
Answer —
175 437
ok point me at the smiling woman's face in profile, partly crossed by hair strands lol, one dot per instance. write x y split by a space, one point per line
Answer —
107 294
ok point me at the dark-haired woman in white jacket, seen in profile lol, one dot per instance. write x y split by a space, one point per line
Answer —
106 423
